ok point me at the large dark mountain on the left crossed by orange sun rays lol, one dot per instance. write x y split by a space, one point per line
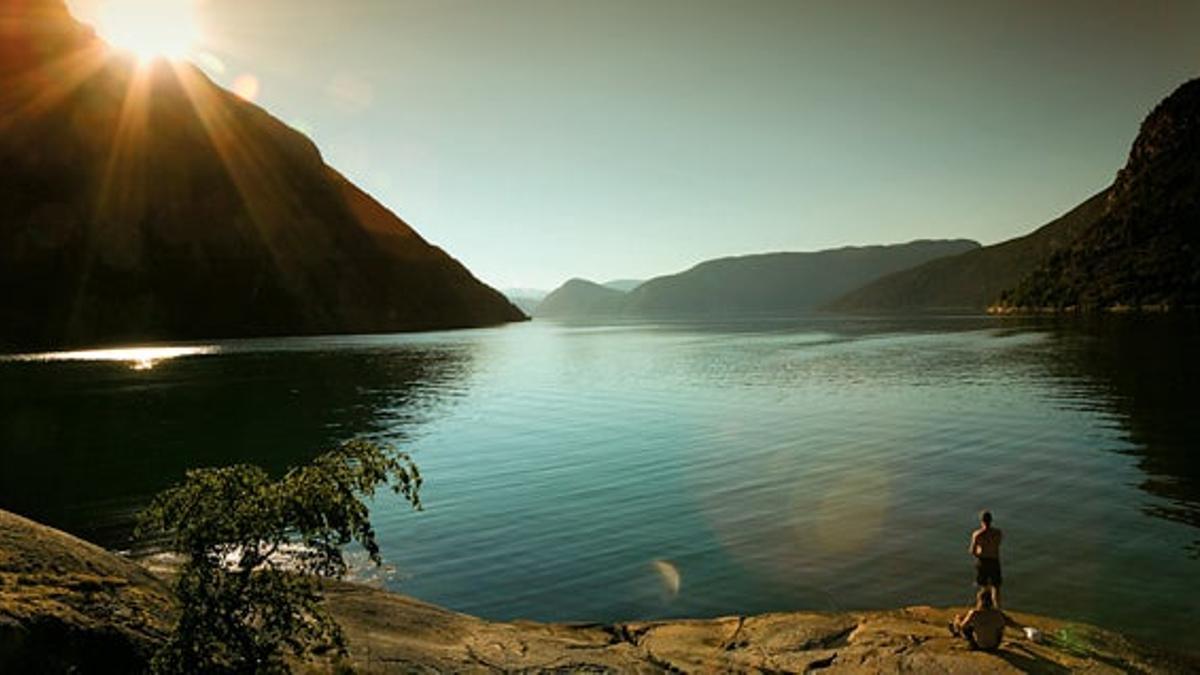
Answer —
147 204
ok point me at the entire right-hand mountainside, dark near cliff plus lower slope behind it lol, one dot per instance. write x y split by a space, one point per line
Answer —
1133 246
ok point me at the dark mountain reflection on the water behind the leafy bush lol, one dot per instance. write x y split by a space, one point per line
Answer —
94 434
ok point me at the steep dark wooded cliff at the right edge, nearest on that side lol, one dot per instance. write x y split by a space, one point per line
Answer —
1145 250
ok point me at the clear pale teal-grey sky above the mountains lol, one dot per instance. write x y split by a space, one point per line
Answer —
542 140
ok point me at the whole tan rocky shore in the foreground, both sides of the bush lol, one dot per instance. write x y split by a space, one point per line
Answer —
69 606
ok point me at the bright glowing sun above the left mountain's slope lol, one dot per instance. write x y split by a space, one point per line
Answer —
149 29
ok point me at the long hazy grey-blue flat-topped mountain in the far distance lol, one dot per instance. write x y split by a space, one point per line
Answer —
781 283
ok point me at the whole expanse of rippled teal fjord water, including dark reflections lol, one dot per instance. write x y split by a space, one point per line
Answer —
603 473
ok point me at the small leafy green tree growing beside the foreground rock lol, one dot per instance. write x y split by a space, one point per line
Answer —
255 551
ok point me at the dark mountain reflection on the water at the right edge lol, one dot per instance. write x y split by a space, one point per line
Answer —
1145 368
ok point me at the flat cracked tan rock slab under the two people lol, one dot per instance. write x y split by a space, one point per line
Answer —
391 634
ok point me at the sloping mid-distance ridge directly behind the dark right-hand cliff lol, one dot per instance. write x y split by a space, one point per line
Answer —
973 280
